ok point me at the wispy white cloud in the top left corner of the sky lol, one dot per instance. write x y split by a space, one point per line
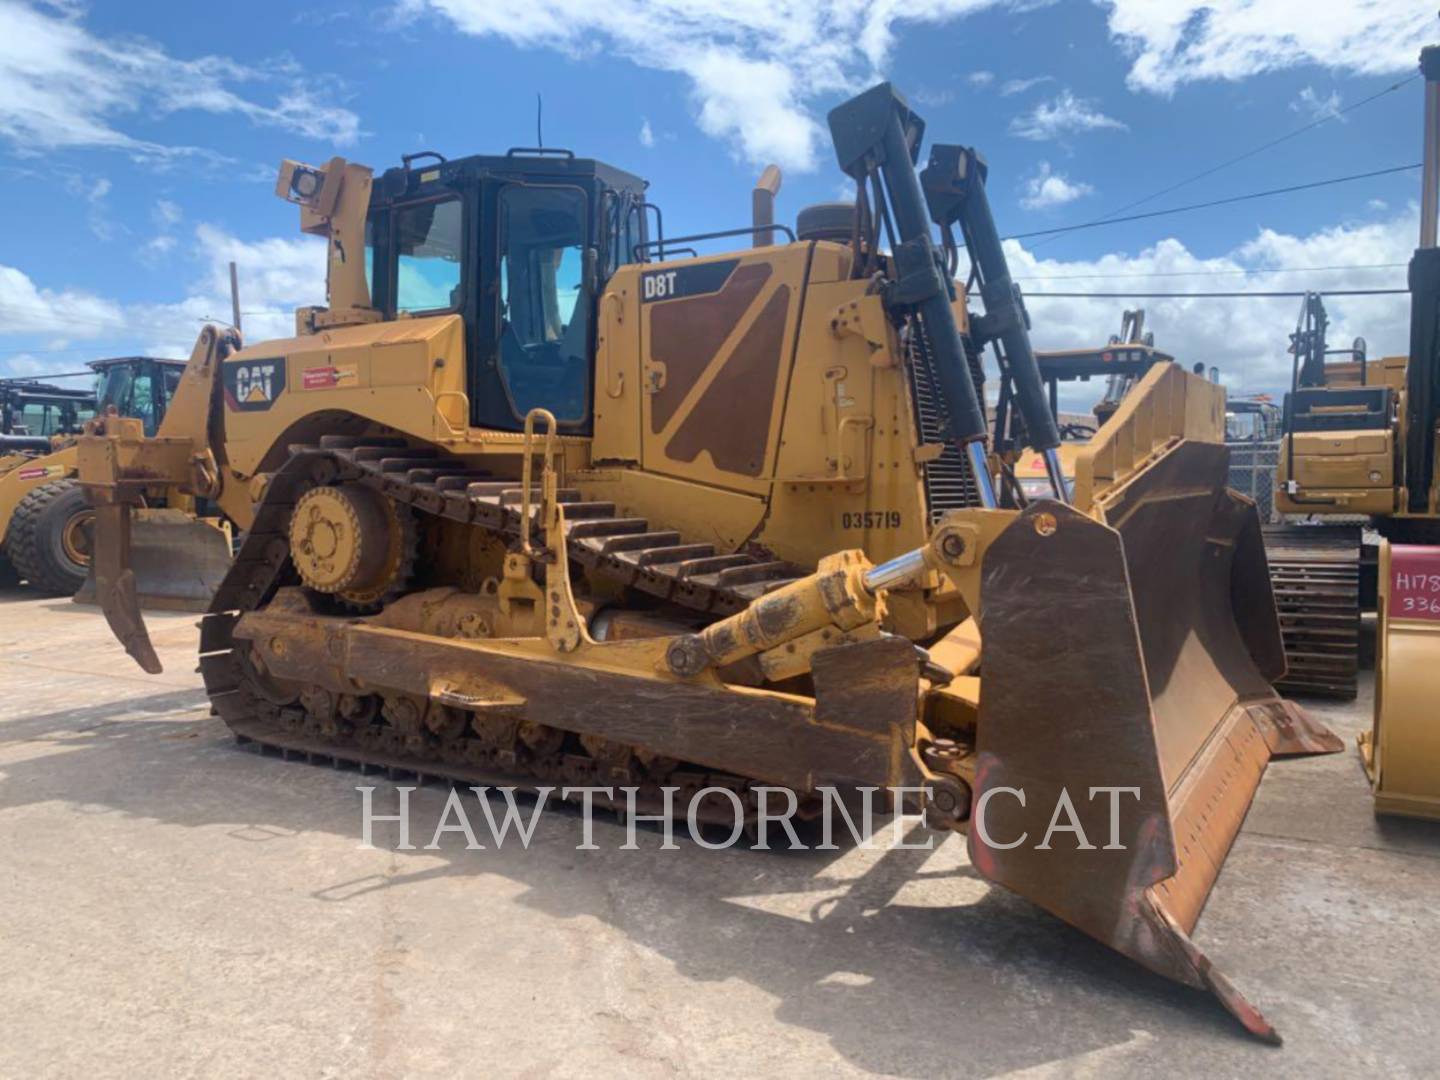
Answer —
63 87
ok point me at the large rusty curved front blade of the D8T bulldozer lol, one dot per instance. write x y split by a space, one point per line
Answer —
1128 712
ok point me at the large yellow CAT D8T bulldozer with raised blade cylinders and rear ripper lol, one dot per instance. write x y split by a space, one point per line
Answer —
544 499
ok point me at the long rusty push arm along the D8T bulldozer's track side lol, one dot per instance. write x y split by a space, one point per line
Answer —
761 737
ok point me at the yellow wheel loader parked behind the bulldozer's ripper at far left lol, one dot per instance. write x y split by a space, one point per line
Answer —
45 518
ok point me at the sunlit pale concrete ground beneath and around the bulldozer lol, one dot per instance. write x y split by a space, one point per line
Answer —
174 905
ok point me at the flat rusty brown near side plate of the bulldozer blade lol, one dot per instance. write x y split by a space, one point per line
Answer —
1058 617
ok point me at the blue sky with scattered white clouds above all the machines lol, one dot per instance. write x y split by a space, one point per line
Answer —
139 142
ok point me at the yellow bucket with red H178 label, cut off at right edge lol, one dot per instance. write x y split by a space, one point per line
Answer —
1402 752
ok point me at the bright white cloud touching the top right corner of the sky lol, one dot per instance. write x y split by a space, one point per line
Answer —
1174 42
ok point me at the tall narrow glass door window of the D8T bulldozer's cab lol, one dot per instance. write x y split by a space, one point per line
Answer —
544 310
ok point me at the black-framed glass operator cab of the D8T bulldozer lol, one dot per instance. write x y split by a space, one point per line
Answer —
521 248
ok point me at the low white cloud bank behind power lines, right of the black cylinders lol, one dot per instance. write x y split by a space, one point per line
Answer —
1245 338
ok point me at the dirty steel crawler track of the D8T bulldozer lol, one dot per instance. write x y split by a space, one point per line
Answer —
354 734
